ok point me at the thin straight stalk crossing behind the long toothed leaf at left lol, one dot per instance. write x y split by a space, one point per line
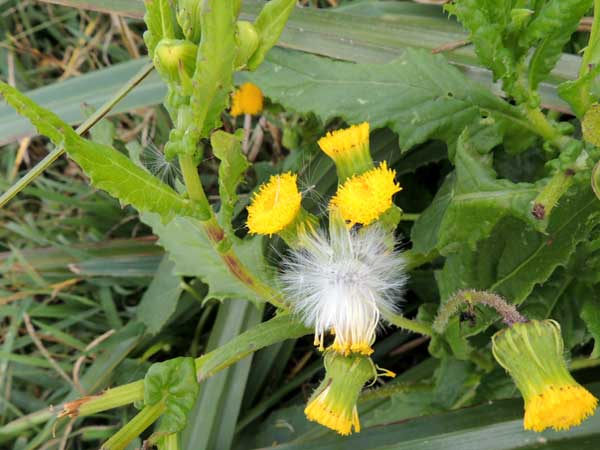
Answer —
85 126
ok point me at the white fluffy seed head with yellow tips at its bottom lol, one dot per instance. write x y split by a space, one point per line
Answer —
343 281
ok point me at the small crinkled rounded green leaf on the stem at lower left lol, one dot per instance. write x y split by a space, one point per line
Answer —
173 383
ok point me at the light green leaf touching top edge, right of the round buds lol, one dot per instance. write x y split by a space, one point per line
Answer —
269 24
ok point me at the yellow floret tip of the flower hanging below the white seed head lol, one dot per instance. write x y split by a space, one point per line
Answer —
326 413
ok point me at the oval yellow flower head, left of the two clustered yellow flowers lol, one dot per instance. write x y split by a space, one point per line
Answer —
275 205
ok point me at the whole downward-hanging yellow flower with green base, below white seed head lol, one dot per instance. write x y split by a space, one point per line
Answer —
333 404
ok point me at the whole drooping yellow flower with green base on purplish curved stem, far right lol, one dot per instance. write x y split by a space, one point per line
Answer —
532 353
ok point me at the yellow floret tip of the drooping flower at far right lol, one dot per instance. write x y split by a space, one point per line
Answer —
559 407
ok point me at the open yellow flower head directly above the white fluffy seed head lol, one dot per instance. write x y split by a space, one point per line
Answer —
364 198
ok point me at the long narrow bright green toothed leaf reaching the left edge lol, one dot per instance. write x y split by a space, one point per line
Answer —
107 168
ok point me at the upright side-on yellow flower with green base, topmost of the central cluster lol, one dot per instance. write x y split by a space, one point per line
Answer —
349 149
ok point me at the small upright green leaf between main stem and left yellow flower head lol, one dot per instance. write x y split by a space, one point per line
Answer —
228 149
